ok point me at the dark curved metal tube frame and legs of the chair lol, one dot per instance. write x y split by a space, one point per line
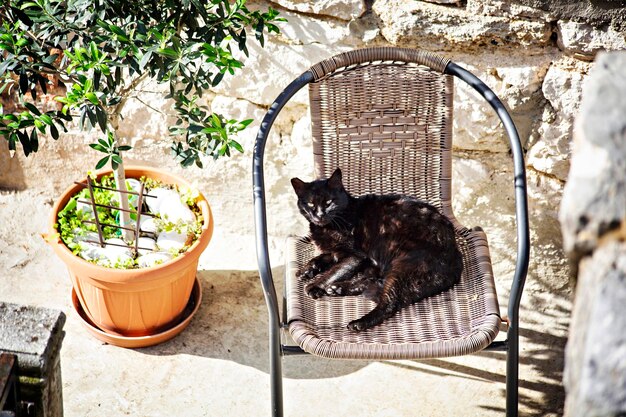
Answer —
276 324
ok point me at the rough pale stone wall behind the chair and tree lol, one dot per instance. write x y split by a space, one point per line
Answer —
535 57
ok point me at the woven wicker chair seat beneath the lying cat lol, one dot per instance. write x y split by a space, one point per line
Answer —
462 320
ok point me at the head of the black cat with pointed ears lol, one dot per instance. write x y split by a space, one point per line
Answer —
321 201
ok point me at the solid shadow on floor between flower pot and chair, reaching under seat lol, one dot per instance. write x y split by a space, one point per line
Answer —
231 324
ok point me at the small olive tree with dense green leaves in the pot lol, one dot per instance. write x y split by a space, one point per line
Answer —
102 51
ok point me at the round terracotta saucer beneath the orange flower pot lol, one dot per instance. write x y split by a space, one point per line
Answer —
142 341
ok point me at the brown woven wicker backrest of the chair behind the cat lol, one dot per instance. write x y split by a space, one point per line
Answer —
384 116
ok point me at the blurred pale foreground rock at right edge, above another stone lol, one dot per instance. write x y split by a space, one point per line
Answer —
595 194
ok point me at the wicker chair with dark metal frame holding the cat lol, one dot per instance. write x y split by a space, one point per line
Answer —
384 116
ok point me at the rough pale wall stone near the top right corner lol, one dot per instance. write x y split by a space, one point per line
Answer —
585 41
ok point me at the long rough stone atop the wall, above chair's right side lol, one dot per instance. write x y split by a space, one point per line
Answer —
432 27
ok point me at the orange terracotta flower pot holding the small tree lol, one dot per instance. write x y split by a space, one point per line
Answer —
134 302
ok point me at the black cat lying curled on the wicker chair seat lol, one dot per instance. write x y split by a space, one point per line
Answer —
392 248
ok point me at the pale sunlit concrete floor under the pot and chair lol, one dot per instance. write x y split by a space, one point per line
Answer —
219 365
